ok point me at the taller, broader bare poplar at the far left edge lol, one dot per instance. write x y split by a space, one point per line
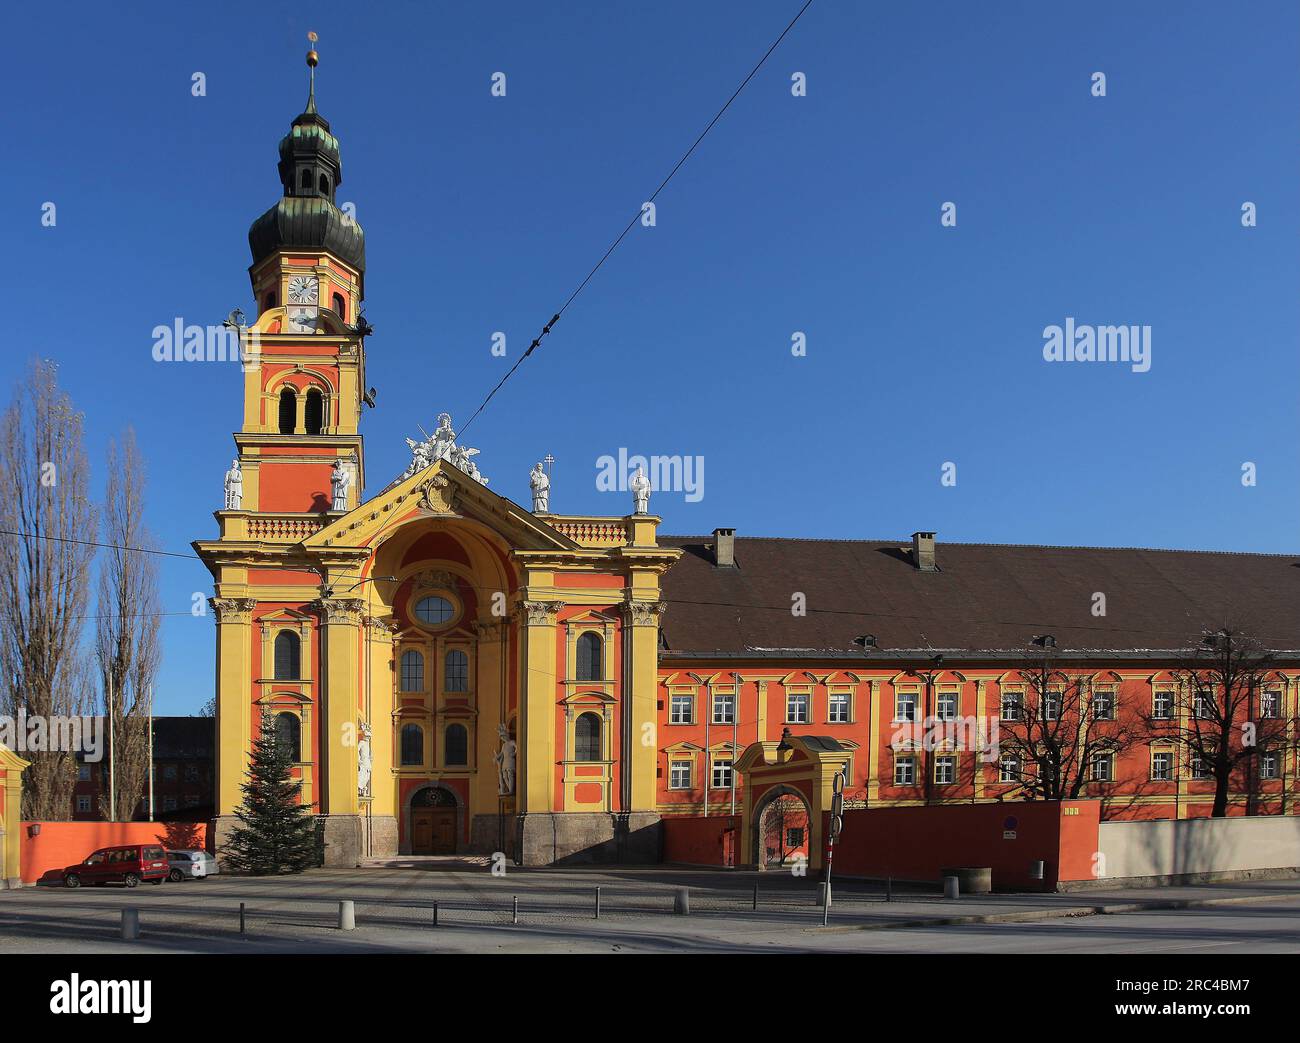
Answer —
45 574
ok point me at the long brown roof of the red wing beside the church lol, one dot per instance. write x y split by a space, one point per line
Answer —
986 599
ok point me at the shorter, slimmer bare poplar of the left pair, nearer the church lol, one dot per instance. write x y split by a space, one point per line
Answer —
127 639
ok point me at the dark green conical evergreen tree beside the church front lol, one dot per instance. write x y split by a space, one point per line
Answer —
278 833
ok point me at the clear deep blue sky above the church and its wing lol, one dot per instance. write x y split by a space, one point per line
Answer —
818 214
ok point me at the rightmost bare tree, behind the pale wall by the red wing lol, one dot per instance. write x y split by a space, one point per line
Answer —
1221 715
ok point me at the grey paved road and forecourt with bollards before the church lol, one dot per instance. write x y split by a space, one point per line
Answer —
396 911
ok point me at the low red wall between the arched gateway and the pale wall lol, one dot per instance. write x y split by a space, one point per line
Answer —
916 843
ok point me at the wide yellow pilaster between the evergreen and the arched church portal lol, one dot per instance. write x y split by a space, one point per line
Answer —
340 678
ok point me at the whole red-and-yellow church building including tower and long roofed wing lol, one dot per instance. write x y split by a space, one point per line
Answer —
460 673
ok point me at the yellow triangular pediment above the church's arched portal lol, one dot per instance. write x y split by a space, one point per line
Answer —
440 491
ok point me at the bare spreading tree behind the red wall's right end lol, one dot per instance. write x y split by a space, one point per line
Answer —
1051 739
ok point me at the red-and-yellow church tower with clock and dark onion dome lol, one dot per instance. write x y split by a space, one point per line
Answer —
306 379
